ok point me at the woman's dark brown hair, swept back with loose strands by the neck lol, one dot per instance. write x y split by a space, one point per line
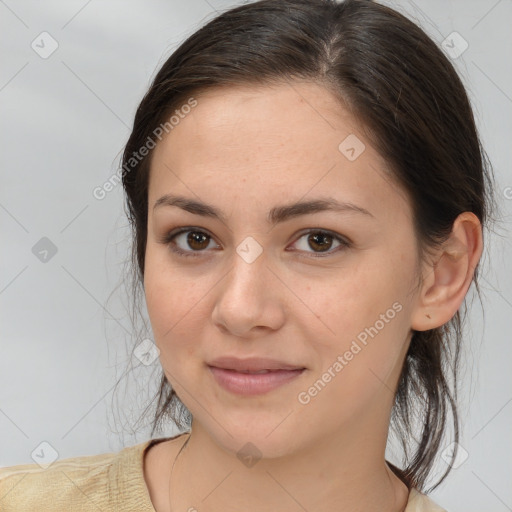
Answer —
416 113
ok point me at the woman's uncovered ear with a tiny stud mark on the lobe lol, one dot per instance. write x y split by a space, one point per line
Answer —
447 280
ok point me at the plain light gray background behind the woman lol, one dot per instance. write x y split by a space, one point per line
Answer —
64 121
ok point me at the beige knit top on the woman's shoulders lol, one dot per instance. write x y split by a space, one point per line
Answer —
109 481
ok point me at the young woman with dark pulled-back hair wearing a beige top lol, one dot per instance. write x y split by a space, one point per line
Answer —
307 193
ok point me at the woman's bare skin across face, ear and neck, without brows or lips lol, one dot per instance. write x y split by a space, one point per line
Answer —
246 150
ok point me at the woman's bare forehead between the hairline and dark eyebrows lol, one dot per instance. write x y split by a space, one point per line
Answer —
269 142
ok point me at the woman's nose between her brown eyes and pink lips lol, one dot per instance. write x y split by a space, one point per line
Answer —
249 299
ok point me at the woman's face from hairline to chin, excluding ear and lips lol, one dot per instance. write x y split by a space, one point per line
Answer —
327 290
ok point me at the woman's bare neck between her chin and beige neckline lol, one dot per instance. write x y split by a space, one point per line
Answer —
340 472
